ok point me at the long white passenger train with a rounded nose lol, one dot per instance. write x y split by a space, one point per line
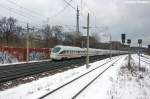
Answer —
60 52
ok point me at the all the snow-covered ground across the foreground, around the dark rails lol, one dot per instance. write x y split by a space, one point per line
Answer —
116 83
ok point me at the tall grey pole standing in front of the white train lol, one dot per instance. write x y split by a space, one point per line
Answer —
87 58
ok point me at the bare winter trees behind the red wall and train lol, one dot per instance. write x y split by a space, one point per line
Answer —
14 35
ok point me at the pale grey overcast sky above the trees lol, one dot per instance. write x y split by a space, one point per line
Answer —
109 16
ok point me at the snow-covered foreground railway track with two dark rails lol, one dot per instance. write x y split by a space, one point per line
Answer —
77 81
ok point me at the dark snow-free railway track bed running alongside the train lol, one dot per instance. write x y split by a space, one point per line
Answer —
15 71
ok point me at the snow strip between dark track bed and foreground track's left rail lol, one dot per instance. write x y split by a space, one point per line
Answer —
45 84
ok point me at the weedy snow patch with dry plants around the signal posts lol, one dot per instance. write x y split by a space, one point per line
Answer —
131 84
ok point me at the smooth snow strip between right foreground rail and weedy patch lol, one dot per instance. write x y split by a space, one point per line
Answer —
99 89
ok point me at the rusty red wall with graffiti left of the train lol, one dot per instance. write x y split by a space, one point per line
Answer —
21 53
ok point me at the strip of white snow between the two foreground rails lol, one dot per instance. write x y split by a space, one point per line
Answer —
70 90
